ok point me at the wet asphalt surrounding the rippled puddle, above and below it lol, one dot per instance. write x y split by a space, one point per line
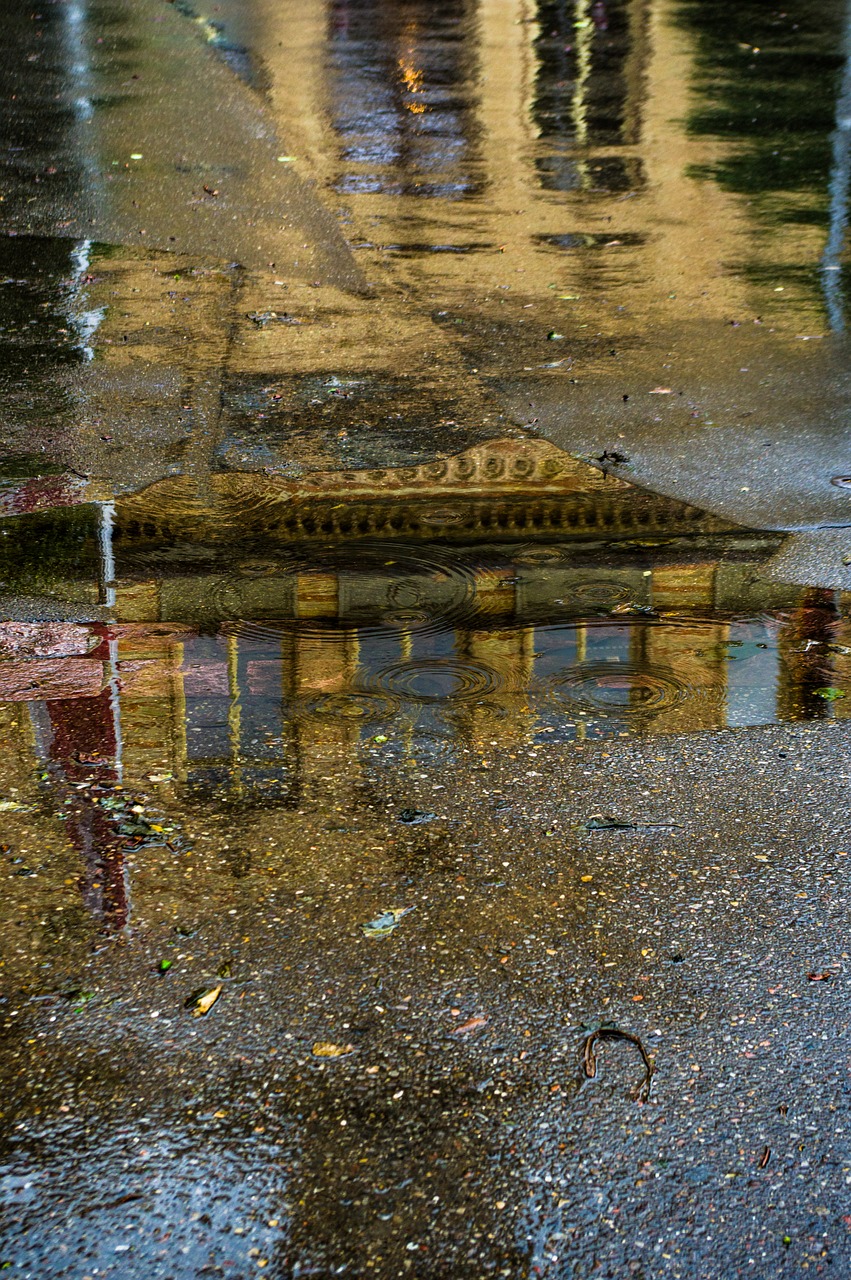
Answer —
326 239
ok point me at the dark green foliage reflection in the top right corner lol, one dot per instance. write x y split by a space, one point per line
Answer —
789 67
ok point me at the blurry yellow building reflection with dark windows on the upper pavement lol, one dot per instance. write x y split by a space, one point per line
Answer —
533 176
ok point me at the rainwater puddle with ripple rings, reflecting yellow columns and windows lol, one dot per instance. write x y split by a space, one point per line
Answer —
232 669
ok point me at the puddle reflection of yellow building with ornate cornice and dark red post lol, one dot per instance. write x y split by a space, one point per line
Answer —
268 644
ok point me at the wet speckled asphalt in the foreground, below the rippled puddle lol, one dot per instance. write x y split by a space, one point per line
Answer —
457 1135
